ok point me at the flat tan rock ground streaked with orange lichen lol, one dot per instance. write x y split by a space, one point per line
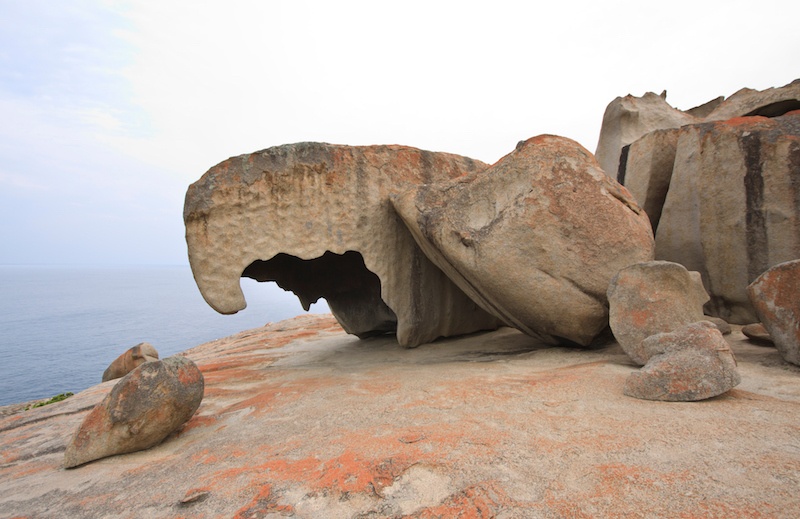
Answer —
301 420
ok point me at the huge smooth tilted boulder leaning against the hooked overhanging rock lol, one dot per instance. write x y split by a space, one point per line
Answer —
535 239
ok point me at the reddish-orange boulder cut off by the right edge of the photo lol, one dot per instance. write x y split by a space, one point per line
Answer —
775 295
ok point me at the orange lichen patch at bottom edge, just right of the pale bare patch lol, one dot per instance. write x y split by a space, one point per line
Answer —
481 501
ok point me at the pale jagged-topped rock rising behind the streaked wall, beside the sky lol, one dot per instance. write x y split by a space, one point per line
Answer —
628 118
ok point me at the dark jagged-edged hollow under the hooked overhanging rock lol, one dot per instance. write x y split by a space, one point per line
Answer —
352 291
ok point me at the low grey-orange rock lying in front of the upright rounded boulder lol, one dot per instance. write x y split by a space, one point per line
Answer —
689 364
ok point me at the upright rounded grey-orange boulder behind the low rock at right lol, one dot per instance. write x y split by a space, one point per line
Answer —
650 298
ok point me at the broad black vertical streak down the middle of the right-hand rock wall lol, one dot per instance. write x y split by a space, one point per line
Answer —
755 221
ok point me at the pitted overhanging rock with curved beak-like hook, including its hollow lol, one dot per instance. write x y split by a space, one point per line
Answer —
316 218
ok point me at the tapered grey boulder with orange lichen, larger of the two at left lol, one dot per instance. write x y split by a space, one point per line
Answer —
145 407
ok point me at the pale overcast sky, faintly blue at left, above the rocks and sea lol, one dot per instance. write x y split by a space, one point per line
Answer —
110 109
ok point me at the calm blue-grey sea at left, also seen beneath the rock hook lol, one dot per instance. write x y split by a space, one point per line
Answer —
61 326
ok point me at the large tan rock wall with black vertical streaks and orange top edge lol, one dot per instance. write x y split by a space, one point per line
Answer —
732 208
